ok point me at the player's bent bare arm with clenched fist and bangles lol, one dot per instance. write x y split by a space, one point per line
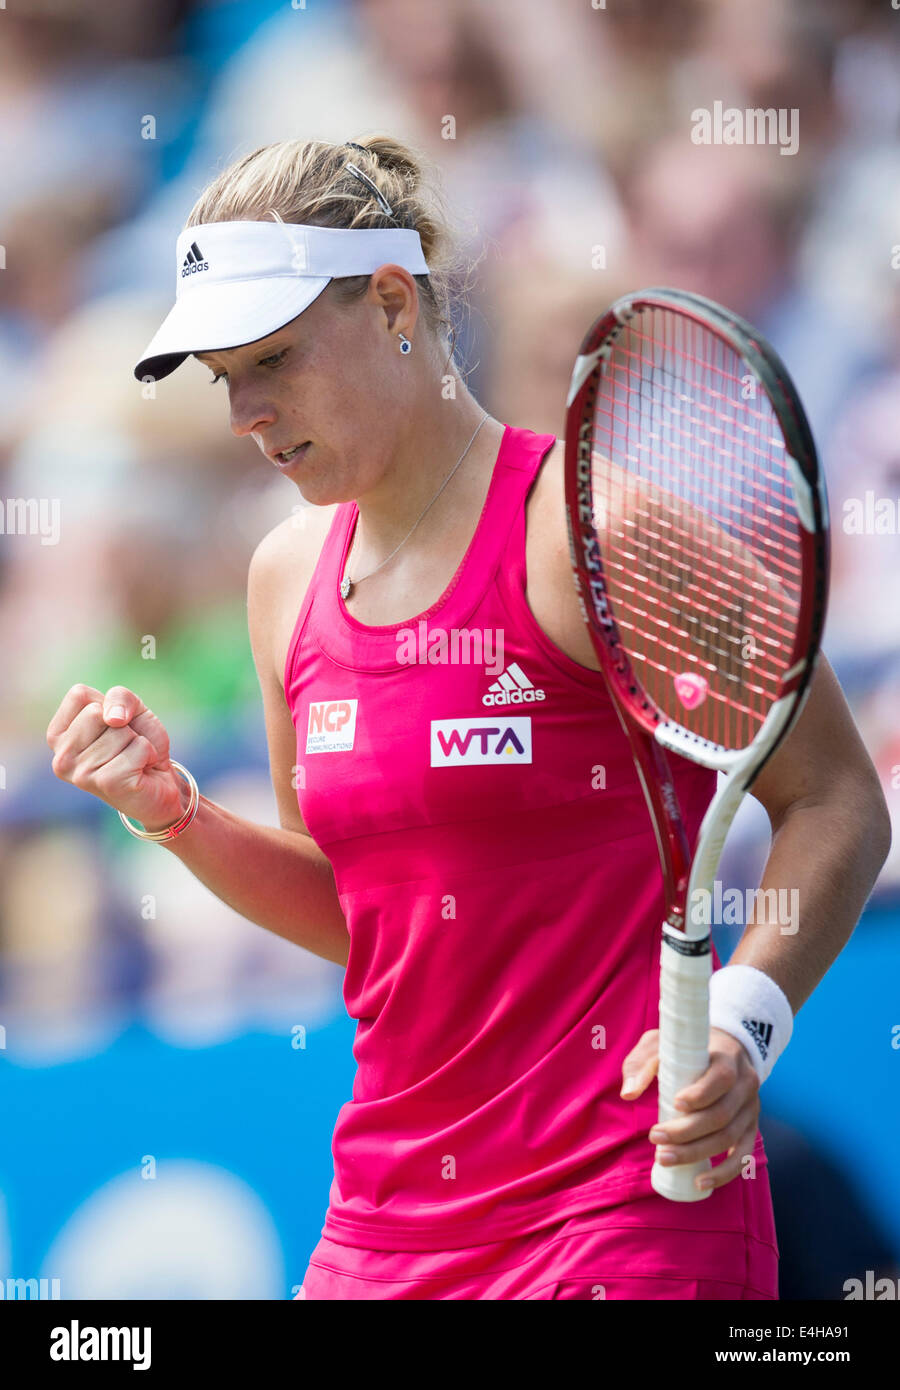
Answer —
276 878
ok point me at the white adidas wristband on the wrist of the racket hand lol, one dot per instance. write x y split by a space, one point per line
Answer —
750 1006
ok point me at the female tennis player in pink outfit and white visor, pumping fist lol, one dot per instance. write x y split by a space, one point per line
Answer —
461 821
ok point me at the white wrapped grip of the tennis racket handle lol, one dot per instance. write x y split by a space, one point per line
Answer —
684 1054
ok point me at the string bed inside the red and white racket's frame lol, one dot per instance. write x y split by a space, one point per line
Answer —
695 507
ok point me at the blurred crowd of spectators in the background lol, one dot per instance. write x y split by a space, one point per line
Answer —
564 136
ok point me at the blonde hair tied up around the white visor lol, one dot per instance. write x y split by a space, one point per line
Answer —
308 181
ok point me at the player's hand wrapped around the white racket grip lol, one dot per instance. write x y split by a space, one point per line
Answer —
721 1110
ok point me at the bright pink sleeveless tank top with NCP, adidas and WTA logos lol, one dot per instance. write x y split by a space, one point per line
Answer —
499 874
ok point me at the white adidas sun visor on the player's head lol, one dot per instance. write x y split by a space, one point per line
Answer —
240 281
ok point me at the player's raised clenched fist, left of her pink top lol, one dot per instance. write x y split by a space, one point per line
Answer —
116 749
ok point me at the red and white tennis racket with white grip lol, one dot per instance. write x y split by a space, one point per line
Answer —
699 533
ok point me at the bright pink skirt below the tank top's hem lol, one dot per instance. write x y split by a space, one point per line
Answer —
723 1248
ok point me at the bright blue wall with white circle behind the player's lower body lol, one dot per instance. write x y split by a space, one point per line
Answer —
241 1139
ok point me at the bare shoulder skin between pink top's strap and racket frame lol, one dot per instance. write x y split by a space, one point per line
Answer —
550 590
